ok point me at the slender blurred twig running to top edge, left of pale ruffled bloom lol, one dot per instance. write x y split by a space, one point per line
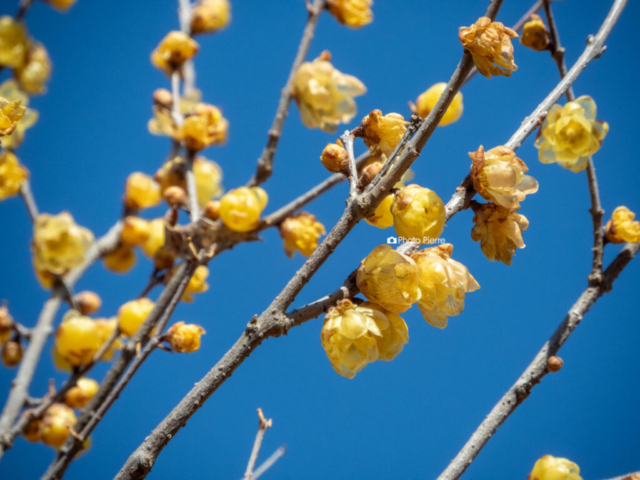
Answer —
265 162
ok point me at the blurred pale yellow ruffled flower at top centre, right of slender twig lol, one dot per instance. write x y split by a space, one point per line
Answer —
325 95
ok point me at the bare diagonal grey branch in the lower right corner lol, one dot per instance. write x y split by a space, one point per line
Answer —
538 367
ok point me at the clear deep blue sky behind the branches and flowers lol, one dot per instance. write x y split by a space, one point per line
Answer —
399 420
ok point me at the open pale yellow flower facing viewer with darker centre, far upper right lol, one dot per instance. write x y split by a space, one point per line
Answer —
570 134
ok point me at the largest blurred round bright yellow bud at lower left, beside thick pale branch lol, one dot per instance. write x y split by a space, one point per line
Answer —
77 338
